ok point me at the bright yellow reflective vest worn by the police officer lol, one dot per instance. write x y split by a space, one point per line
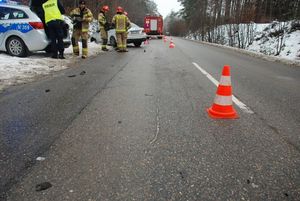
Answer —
51 11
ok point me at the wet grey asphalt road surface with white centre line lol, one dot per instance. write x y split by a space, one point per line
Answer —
134 126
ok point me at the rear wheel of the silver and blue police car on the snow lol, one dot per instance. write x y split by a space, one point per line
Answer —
16 47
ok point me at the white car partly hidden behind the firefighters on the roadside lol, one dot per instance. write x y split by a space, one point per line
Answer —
136 35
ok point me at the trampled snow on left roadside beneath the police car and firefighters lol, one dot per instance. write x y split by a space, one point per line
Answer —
16 70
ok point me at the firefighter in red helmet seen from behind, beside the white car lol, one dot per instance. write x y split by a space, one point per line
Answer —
121 22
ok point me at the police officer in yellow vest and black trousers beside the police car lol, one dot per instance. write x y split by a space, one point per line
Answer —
53 11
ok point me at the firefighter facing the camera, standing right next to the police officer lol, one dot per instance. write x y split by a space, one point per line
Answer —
81 16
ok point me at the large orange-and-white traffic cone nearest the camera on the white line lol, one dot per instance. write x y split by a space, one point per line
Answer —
222 106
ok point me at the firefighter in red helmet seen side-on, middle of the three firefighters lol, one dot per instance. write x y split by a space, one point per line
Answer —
104 26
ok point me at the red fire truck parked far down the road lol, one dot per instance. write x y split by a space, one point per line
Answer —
153 25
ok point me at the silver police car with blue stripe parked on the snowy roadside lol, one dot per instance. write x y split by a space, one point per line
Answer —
21 30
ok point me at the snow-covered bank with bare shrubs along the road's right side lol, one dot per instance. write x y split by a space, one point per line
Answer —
279 40
